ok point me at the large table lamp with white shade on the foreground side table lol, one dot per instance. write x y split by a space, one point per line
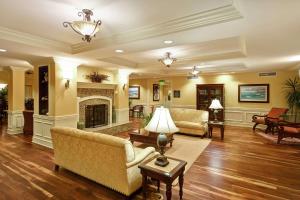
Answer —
161 123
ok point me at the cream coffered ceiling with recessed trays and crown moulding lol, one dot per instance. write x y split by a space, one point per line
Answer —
215 35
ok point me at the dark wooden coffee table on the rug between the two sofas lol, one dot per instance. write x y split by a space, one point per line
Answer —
148 137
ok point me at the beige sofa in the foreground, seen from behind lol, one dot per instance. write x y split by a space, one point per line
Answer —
108 160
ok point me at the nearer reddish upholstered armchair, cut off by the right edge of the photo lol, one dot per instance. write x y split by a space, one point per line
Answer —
287 129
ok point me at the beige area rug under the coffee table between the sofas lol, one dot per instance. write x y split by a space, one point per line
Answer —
186 148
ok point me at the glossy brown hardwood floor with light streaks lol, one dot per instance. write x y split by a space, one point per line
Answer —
243 166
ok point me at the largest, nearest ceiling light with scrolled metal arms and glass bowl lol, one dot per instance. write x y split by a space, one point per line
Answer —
87 28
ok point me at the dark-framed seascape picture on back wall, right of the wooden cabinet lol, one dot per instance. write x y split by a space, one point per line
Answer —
256 93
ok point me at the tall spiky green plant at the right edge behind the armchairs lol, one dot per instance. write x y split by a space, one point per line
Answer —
292 94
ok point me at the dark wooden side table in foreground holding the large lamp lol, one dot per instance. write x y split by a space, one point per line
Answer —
165 174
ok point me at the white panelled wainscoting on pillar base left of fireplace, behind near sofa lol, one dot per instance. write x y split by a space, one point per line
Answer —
42 125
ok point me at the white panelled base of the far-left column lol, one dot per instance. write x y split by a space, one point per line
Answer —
15 122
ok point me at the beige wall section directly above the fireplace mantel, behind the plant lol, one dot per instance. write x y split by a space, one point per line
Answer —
82 71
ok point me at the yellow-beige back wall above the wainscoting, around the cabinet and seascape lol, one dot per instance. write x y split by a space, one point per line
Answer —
231 82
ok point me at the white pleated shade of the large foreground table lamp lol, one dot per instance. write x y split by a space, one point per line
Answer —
161 122
